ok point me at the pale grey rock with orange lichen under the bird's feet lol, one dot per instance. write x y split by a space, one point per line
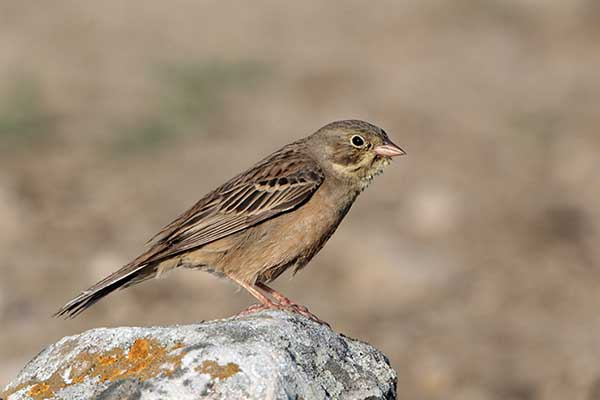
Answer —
267 355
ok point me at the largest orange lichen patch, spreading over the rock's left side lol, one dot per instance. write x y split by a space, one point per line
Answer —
144 359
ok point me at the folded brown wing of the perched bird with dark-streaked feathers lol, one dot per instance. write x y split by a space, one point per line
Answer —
278 184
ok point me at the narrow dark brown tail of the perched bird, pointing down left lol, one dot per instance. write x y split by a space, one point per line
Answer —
129 275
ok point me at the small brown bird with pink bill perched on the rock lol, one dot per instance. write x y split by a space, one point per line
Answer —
274 216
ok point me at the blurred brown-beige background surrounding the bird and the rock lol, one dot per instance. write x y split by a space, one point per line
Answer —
473 262
